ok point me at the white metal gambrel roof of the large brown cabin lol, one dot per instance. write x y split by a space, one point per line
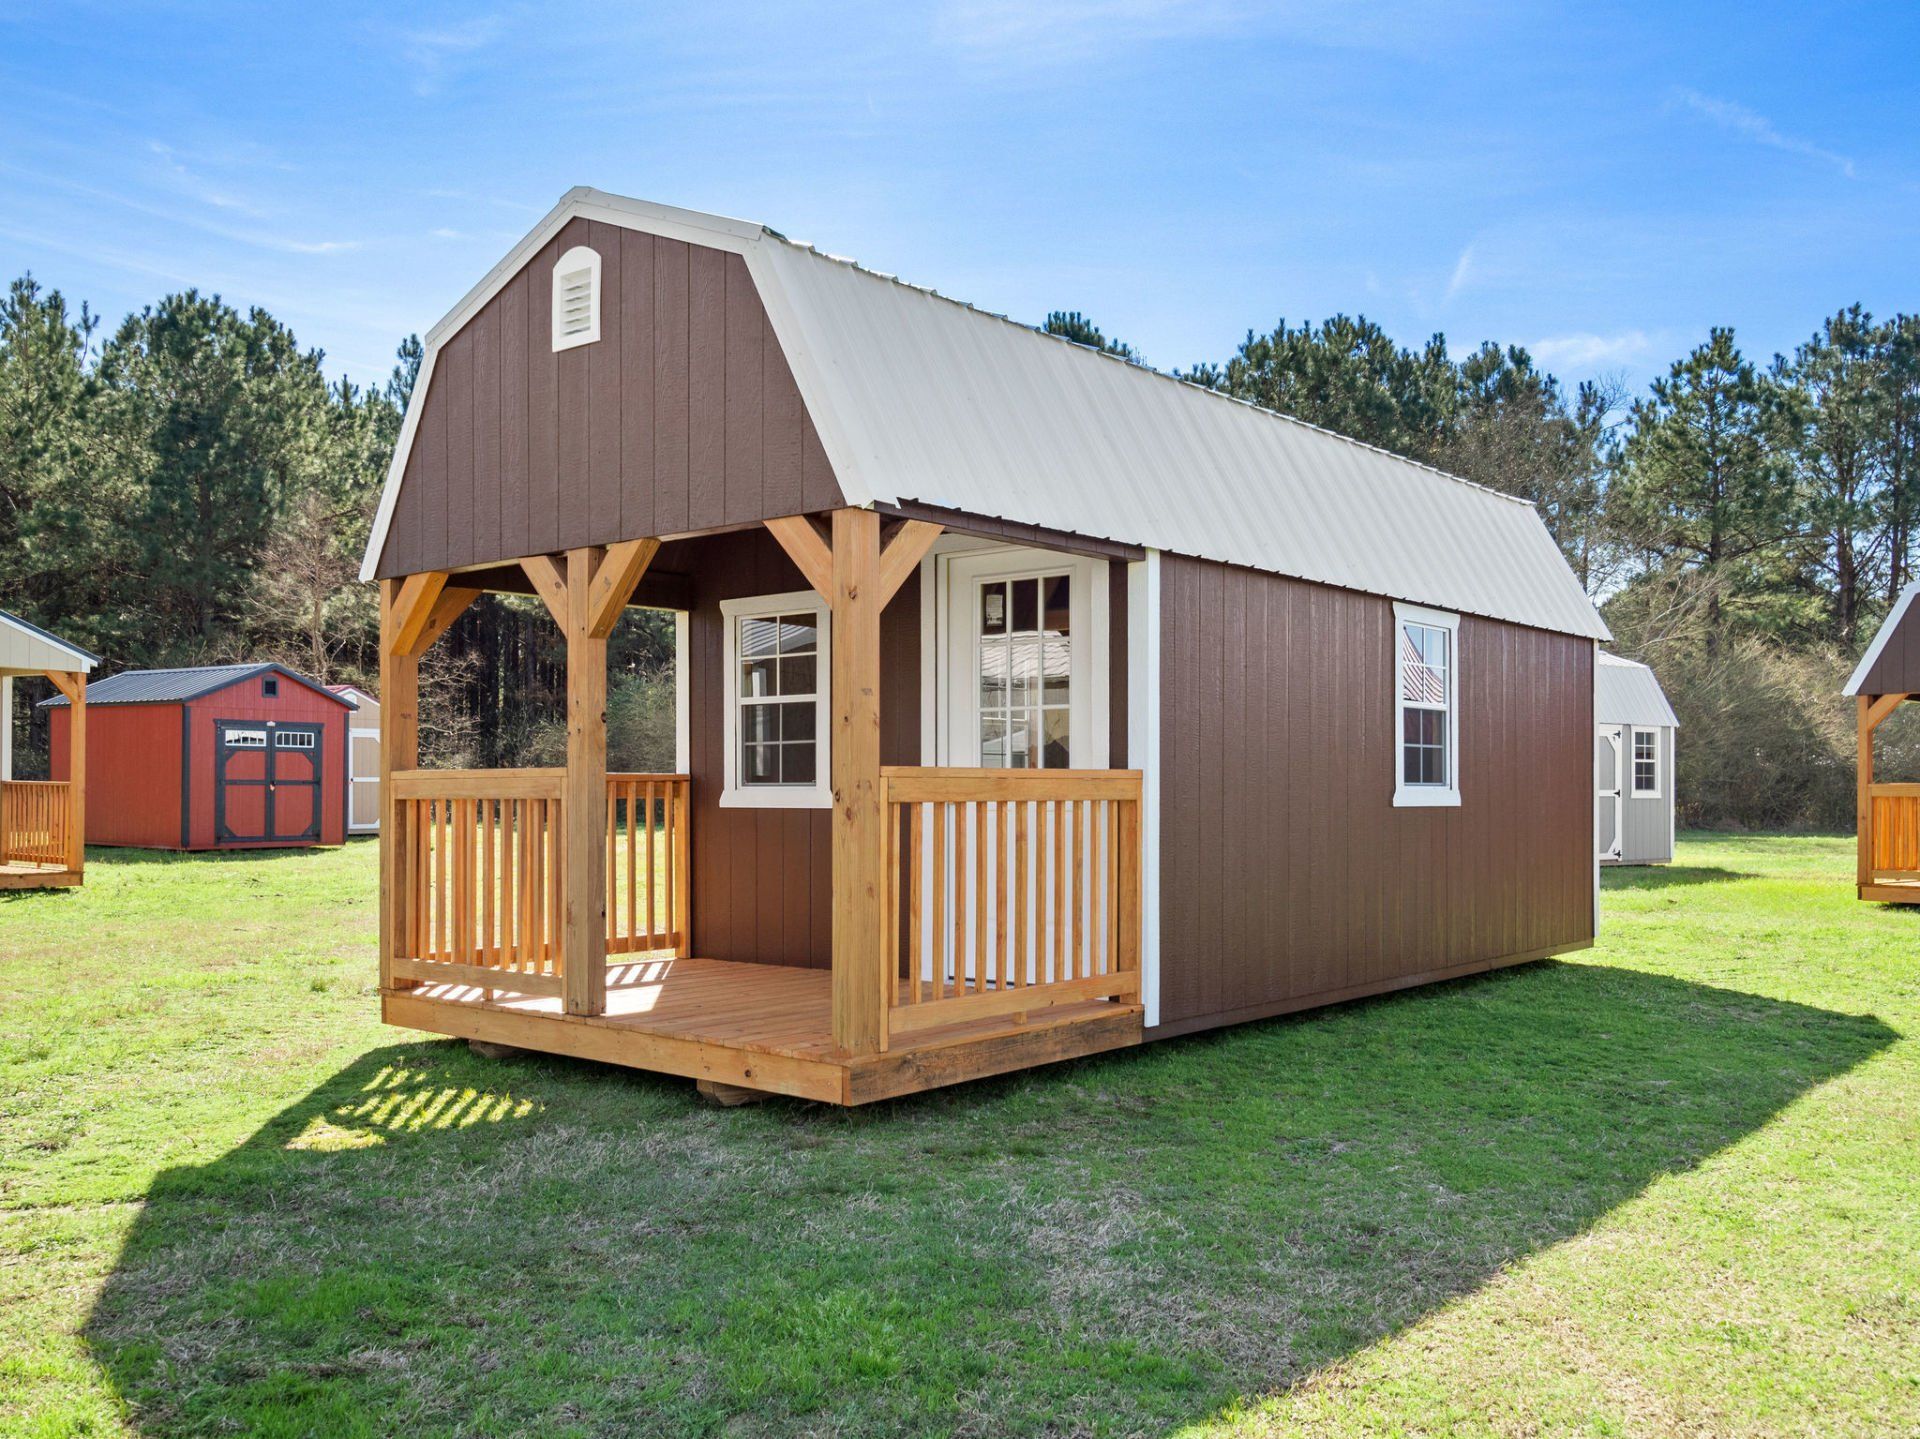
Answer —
926 401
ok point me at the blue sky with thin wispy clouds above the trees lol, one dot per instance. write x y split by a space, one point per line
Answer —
1600 183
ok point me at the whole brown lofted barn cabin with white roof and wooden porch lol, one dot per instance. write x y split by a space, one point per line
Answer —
1032 704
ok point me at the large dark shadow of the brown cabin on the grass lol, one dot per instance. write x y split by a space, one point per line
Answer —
441 1244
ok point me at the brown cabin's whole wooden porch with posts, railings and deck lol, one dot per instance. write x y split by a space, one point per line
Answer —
984 921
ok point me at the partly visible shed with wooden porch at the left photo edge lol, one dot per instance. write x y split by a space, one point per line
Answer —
43 823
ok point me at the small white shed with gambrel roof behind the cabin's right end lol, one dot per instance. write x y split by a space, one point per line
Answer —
1633 764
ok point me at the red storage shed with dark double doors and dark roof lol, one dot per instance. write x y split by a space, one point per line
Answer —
216 758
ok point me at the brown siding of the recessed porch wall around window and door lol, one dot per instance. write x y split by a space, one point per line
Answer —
763 877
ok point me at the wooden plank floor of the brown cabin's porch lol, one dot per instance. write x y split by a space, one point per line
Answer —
759 1027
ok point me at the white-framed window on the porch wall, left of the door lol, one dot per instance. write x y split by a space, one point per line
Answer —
779 662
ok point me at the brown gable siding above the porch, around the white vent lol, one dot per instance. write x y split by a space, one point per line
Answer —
683 416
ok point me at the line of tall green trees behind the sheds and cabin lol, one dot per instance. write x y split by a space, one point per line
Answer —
193 489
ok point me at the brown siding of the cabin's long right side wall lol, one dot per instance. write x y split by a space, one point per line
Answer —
1287 871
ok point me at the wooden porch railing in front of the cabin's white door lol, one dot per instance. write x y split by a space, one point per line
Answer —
1009 892
